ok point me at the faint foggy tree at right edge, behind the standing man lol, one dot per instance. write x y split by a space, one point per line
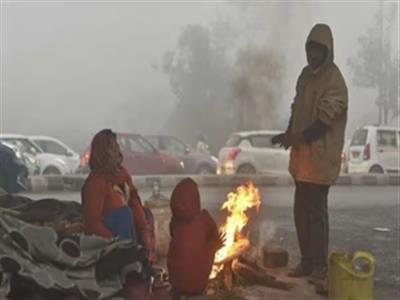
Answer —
375 66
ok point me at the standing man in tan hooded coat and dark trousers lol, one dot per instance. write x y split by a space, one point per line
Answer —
316 136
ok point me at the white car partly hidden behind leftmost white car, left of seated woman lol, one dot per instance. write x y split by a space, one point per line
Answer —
57 148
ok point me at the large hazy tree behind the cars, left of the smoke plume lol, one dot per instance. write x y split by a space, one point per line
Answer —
198 75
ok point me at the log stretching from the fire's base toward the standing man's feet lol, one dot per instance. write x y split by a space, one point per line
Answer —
253 276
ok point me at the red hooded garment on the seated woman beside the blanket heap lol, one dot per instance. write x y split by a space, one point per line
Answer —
106 189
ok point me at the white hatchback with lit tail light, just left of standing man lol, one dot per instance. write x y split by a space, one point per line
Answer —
250 152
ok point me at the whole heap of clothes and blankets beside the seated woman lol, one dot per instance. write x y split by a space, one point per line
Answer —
44 255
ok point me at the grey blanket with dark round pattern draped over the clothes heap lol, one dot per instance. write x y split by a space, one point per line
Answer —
87 265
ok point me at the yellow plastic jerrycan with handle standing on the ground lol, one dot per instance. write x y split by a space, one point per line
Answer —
351 276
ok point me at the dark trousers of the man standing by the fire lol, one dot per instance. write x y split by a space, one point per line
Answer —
312 224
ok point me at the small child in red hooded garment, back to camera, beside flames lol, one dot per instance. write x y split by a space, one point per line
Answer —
194 240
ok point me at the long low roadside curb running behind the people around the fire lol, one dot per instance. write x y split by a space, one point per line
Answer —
40 183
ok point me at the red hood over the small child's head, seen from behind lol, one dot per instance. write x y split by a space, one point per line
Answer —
185 200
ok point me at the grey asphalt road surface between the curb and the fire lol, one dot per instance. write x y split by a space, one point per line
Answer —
355 214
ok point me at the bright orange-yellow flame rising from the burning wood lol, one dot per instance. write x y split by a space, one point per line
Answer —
246 197
